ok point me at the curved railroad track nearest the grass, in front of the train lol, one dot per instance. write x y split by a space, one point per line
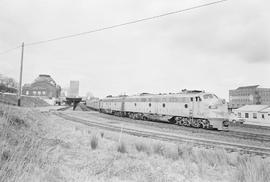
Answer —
247 149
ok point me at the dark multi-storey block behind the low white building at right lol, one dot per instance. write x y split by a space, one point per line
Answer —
249 95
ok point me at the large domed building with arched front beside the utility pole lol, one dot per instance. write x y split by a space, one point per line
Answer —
43 86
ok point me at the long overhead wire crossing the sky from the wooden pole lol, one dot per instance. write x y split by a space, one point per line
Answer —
117 25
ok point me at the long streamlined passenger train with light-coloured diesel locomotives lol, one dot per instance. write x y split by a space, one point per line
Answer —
197 109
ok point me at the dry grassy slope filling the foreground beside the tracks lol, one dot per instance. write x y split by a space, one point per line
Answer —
38 147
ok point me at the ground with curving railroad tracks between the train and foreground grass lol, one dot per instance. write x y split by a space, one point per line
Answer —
253 141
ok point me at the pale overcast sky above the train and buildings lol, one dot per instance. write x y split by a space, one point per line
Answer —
216 48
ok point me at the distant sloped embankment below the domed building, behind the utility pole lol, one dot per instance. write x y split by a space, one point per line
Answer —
26 101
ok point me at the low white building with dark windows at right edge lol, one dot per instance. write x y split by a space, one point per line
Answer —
254 114
